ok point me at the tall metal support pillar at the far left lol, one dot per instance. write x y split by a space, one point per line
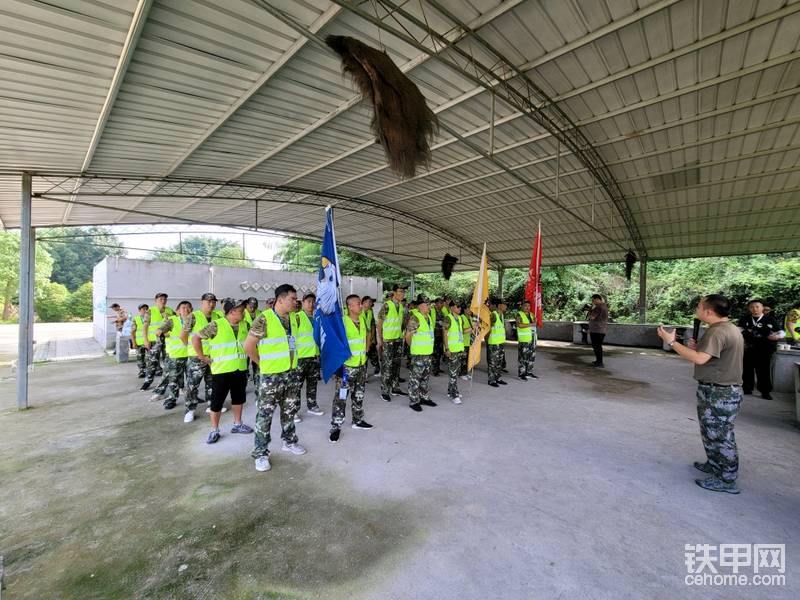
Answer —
27 253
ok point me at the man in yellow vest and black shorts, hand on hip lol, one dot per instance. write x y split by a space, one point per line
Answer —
226 337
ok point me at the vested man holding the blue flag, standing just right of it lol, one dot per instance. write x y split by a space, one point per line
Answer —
353 379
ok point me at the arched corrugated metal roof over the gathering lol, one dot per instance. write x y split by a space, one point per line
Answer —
668 127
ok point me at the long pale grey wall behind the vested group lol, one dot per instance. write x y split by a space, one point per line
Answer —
132 282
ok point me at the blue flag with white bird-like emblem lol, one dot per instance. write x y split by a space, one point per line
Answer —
329 331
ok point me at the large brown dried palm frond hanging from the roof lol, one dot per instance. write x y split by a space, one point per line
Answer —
401 120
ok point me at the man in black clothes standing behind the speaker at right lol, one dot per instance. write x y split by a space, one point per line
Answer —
761 333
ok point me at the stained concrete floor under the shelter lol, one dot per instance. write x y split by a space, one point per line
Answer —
576 485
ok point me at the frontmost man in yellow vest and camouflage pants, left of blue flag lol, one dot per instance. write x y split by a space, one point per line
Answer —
272 345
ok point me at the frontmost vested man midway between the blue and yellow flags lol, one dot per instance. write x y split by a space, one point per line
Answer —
419 336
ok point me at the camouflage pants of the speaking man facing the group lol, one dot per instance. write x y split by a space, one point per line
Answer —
717 408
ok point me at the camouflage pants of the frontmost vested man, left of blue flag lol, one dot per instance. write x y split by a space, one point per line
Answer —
275 391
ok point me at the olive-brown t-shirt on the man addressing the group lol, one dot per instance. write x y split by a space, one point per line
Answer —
725 344
